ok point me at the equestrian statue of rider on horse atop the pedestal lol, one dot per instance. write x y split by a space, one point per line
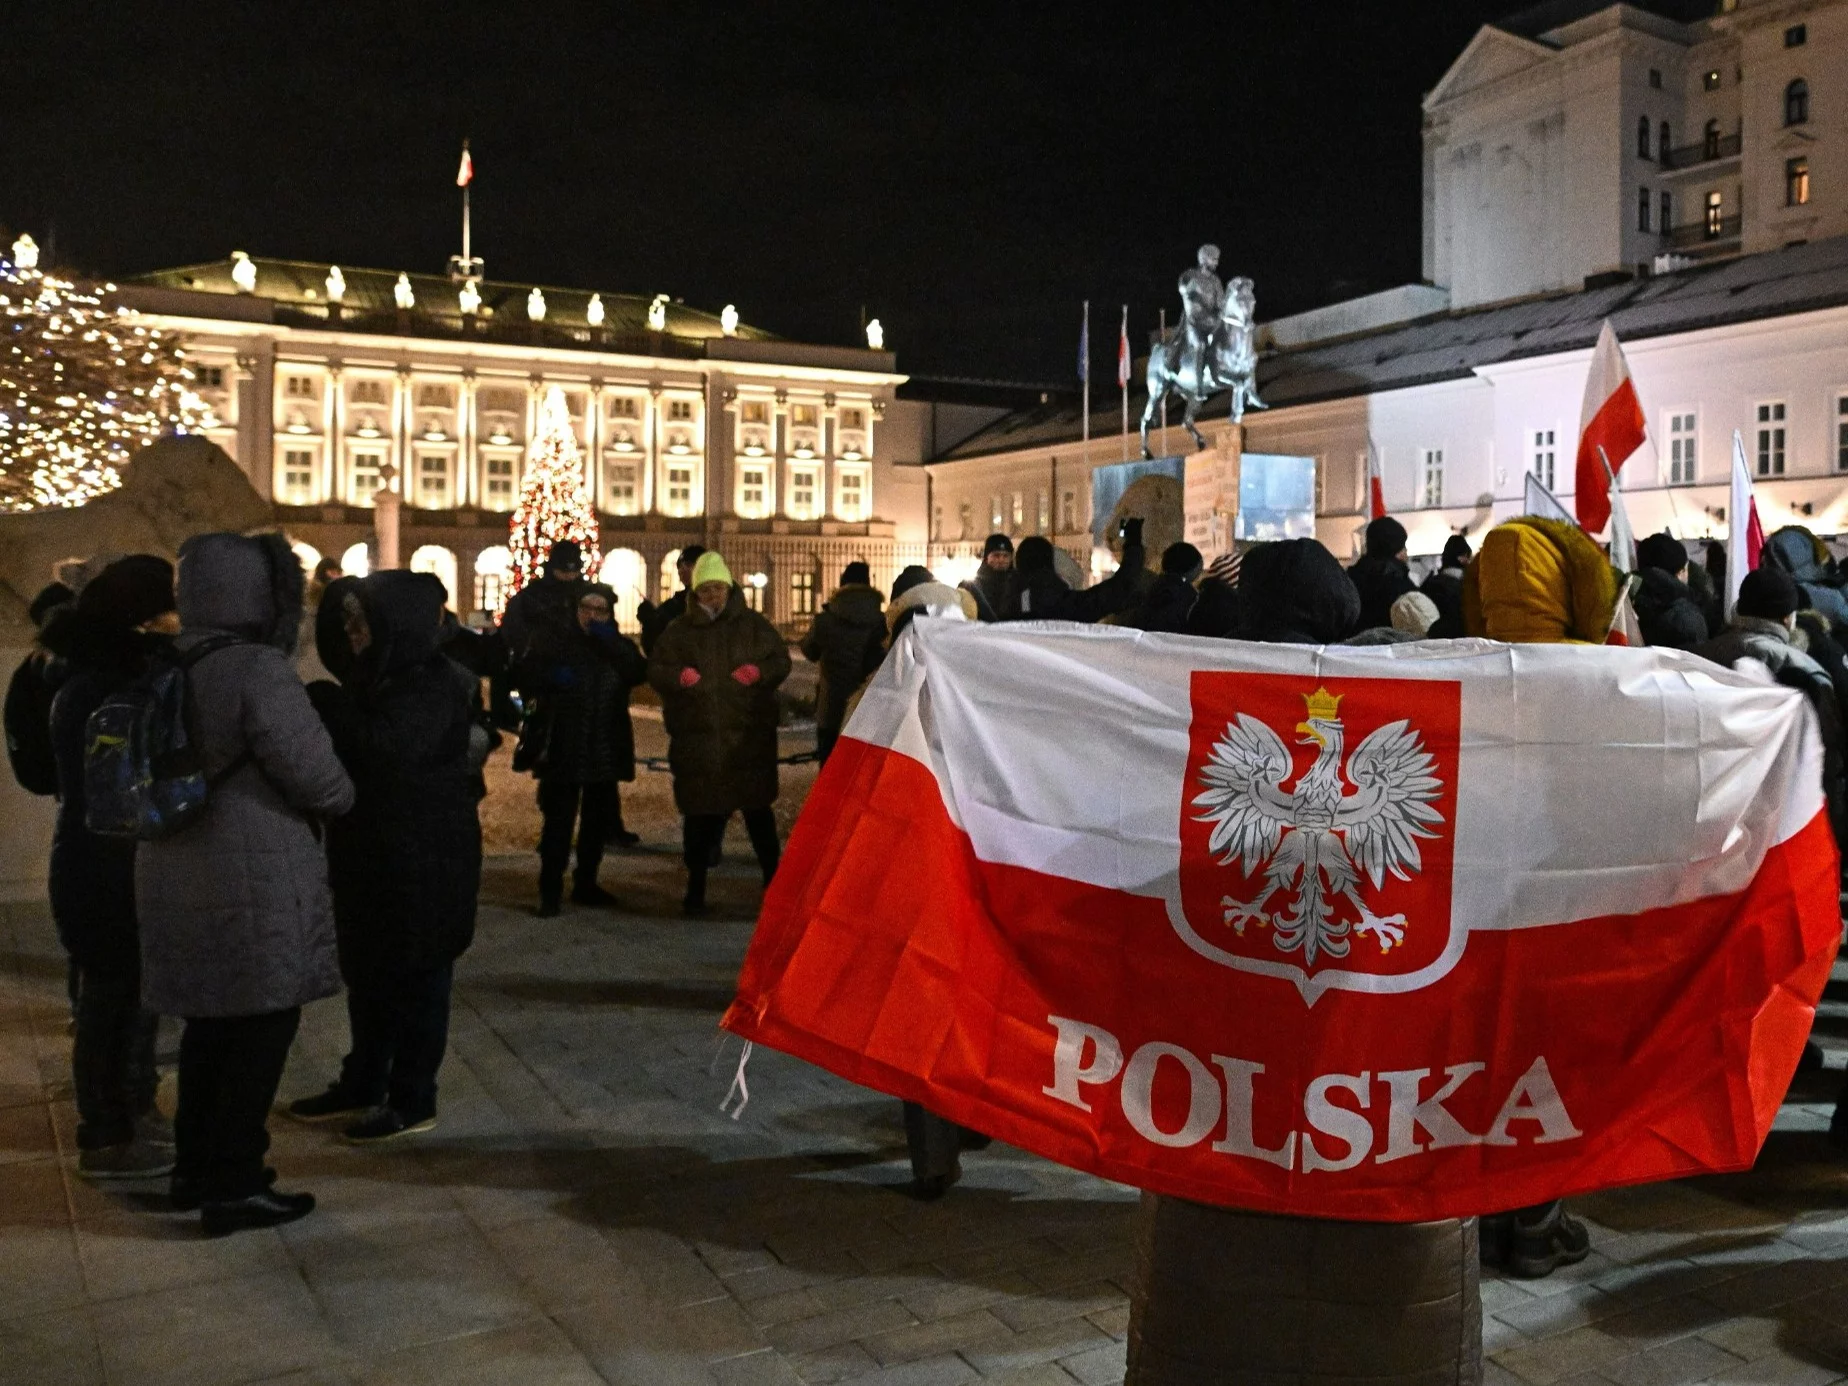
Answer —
1211 350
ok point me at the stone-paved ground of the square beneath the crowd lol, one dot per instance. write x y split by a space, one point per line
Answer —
587 1215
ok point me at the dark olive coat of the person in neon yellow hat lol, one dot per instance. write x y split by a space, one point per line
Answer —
722 736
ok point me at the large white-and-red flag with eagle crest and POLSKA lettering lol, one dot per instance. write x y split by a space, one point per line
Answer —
1389 934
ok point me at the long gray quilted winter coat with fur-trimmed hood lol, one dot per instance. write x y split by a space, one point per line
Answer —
236 914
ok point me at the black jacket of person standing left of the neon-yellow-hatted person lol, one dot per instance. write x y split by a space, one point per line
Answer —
579 687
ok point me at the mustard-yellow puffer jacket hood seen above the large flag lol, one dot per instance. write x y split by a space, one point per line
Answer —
1540 583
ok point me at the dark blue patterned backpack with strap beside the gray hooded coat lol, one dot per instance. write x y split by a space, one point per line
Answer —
141 768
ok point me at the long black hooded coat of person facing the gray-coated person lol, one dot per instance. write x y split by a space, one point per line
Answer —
406 864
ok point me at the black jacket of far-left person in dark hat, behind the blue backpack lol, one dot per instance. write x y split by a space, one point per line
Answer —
93 879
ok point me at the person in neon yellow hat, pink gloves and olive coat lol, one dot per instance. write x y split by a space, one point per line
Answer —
718 670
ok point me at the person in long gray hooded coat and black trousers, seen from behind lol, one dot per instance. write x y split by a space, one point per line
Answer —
237 927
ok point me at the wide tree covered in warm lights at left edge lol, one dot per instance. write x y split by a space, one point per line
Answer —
82 387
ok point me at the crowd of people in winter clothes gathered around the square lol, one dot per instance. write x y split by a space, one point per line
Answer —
339 731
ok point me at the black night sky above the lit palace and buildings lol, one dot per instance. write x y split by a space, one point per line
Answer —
967 178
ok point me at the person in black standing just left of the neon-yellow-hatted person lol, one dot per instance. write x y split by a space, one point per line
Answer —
579 742
